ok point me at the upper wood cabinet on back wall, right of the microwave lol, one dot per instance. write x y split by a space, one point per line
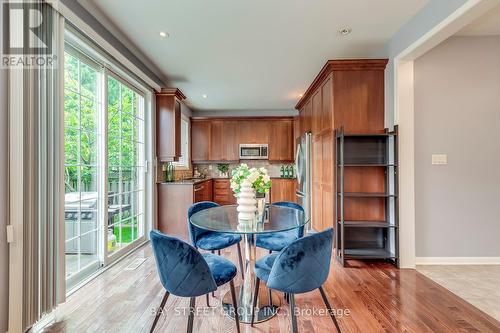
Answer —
281 146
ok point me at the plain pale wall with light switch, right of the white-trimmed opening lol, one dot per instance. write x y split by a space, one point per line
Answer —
457 112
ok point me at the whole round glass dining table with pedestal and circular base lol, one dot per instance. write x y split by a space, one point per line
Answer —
273 219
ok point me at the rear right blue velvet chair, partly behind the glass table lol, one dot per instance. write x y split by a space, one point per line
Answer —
276 241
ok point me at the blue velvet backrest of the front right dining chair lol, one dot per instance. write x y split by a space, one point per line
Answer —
303 265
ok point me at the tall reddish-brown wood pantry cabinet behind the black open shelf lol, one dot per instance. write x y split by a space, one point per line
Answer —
348 94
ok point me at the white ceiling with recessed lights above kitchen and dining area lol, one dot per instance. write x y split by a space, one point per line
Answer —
251 55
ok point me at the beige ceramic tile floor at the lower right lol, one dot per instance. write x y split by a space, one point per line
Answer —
477 284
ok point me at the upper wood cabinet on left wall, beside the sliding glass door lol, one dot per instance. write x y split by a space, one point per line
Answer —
168 124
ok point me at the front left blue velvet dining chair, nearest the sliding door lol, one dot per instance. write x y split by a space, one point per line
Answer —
185 272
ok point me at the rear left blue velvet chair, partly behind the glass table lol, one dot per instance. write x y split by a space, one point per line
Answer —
210 240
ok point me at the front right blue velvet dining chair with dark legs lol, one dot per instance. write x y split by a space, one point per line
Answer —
299 268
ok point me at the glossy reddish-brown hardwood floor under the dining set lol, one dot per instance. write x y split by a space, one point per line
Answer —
379 297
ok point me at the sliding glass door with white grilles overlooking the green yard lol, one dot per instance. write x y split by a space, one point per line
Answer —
105 176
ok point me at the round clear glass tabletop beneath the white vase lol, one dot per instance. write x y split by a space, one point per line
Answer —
225 219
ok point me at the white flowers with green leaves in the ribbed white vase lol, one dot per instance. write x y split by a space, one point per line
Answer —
259 178
